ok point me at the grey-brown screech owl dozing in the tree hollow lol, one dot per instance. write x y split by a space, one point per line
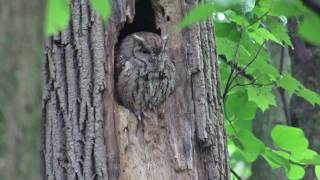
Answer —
145 74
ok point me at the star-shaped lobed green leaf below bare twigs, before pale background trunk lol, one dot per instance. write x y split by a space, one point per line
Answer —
262 96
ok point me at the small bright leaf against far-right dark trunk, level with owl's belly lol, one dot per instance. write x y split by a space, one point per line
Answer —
289 83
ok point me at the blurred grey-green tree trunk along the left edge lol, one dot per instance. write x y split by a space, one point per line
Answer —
21 51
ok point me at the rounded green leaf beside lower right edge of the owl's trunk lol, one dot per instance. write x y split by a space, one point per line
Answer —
251 147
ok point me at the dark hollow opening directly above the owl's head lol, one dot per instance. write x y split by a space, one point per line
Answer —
144 20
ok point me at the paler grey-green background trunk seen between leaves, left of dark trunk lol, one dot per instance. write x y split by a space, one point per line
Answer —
265 121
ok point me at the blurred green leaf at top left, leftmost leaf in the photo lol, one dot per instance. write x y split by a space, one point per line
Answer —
57 16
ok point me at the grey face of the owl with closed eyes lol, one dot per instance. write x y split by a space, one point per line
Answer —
151 50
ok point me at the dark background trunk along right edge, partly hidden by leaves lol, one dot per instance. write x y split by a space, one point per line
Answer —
305 68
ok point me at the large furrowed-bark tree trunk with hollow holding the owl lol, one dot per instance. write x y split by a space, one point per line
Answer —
88 134
